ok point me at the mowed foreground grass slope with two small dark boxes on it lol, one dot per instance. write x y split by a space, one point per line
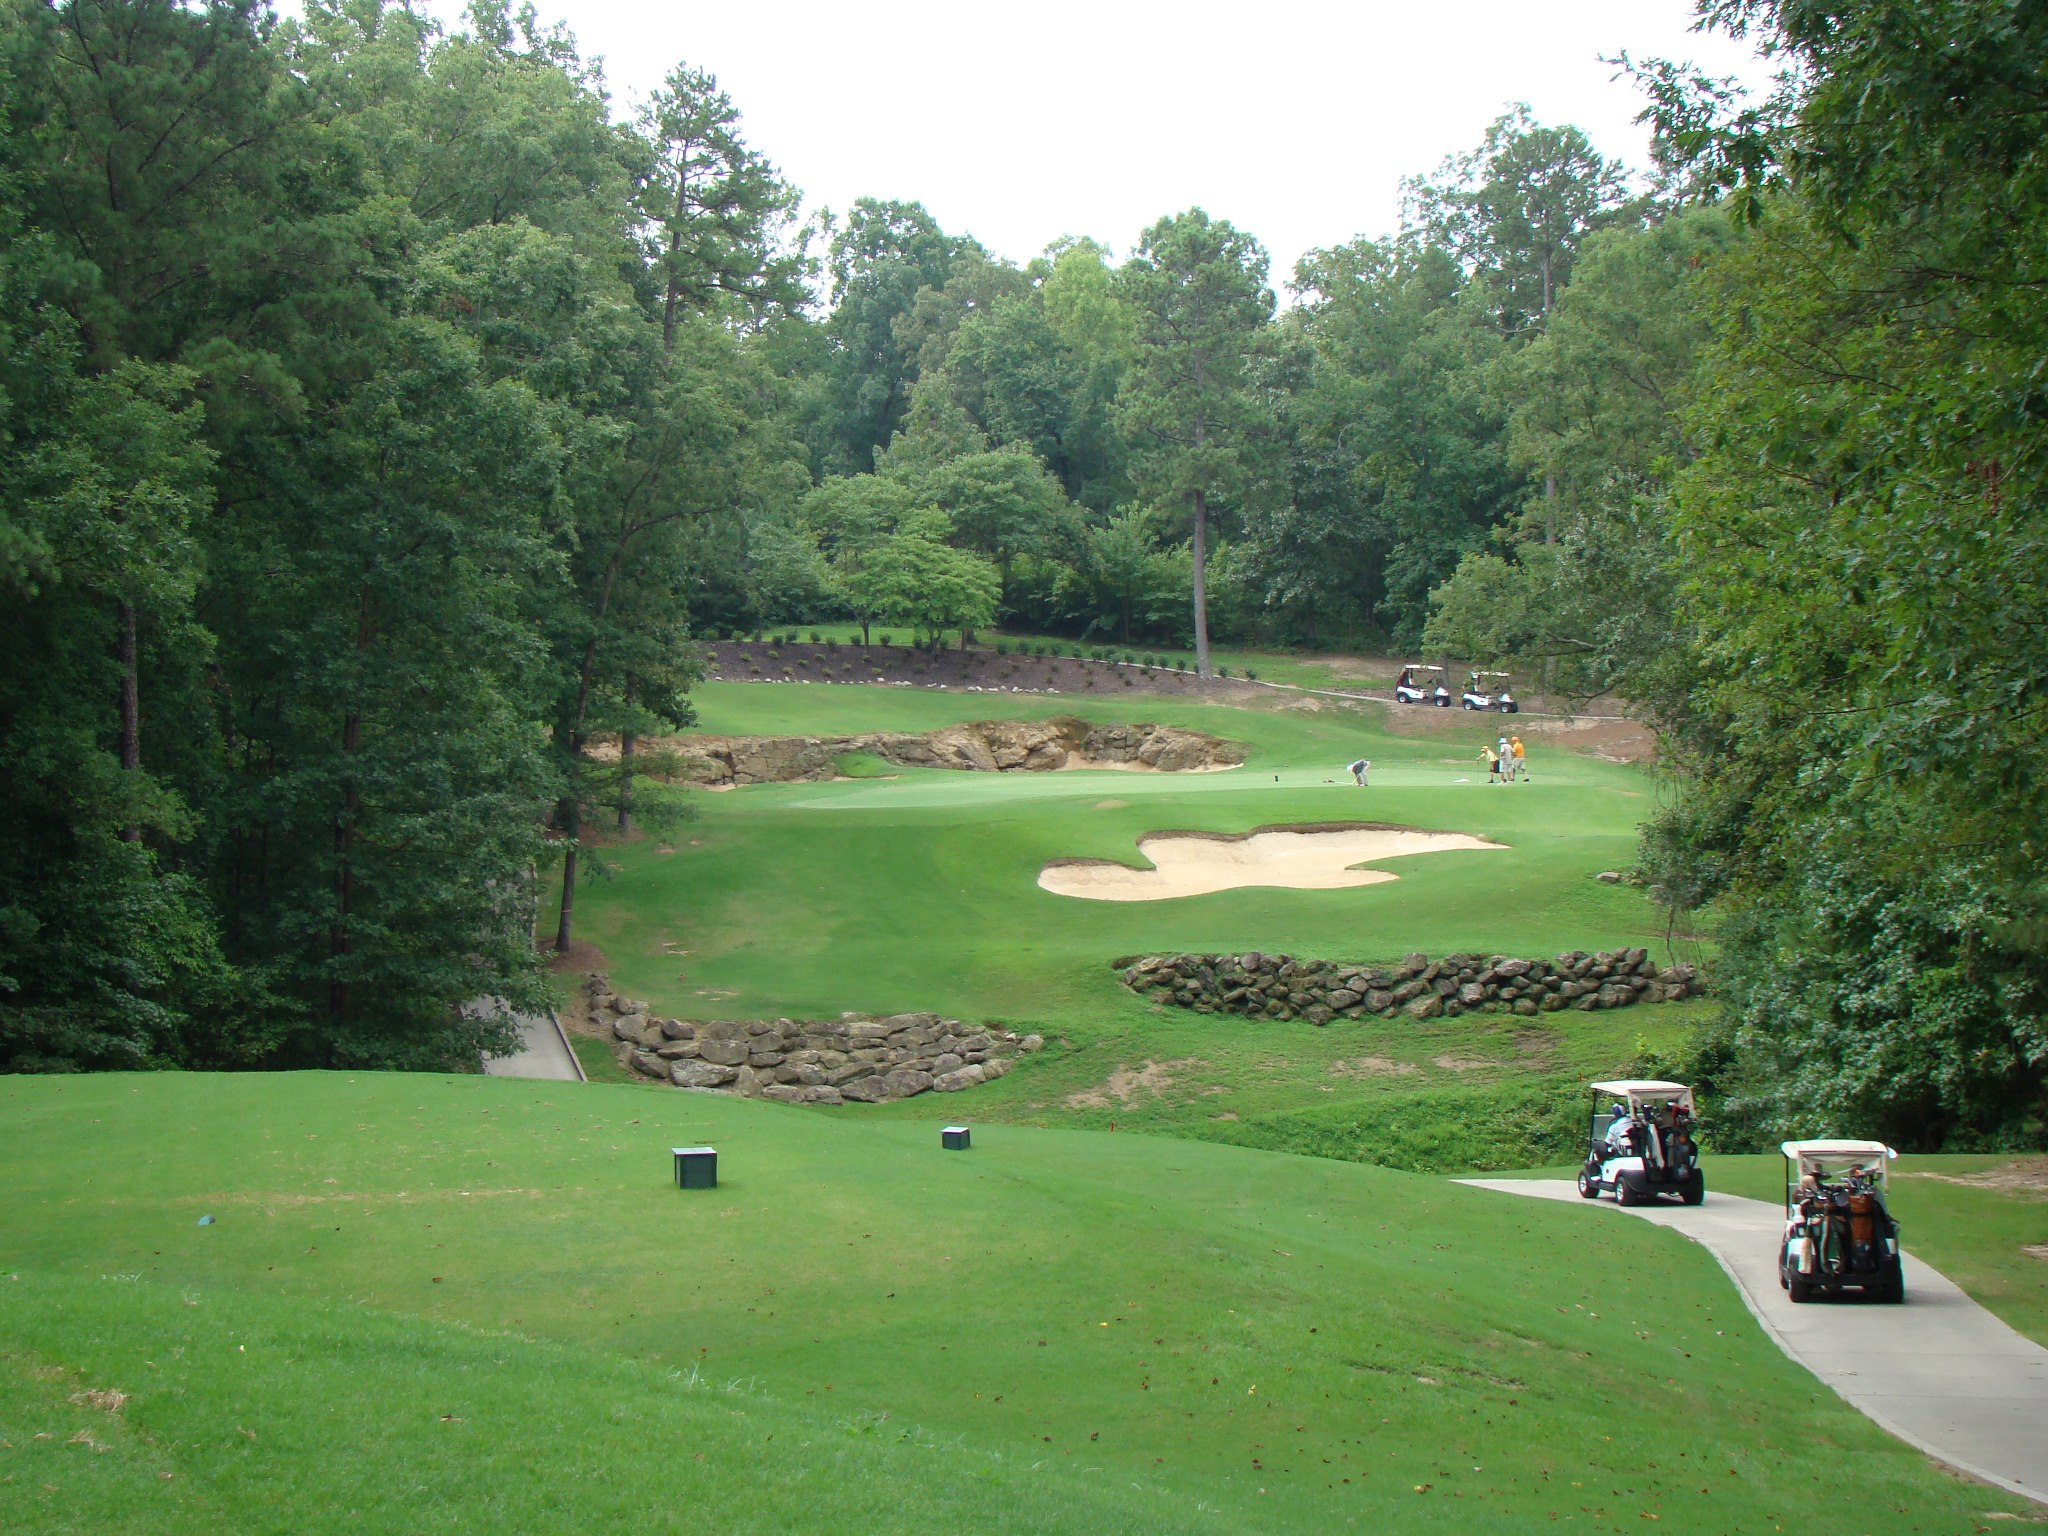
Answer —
480 1306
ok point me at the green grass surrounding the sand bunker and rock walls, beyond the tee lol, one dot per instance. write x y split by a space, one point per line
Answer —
921 890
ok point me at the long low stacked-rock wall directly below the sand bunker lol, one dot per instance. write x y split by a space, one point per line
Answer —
1279 986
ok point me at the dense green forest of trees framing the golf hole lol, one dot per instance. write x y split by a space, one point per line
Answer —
382 413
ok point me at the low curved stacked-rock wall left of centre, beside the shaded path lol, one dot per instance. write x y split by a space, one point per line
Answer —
816 1062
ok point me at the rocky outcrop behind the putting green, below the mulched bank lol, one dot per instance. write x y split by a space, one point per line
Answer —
984 746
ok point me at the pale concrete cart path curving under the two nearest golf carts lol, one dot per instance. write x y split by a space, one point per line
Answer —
1940 1371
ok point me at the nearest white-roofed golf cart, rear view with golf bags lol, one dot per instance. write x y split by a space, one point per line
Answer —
1840 1234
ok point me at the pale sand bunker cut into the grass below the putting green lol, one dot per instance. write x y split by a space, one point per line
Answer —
1201 863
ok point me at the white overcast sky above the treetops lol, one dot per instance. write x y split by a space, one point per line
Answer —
1021 124
